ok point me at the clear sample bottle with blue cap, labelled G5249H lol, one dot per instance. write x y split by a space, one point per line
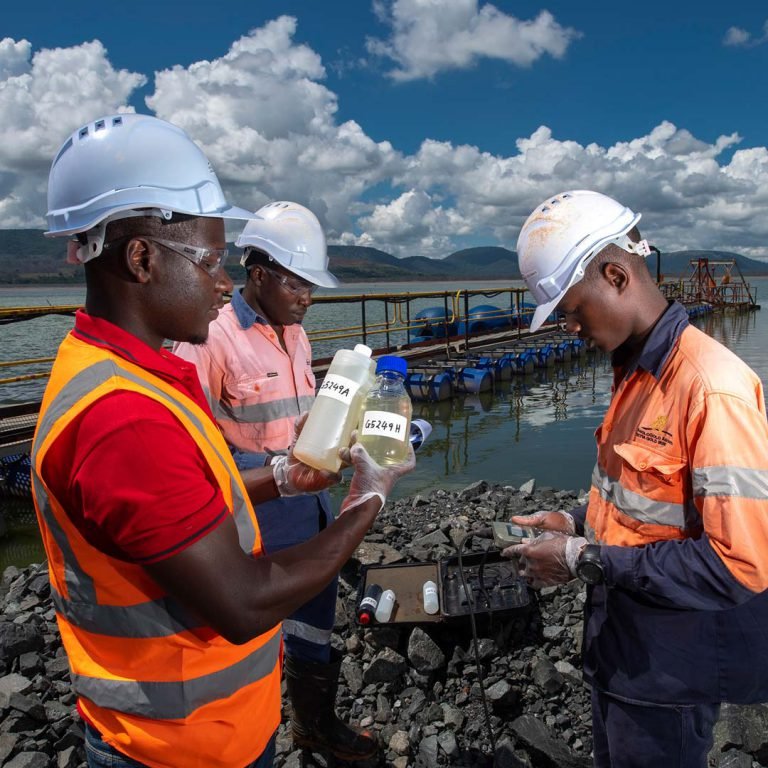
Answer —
385 420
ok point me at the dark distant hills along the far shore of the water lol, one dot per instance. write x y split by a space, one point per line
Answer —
28 257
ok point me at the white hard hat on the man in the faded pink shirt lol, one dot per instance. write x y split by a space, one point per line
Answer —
293 237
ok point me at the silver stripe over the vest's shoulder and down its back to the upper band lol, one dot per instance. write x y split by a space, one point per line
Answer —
81 607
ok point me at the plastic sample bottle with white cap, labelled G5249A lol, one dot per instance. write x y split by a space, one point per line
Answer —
335 411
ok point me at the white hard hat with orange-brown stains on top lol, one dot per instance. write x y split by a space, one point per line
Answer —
562 236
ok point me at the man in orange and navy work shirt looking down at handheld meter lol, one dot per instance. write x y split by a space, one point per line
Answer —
673 545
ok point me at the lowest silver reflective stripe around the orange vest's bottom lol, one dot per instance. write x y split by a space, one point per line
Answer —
179 699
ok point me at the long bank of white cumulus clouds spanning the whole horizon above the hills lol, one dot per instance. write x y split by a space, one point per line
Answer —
267 120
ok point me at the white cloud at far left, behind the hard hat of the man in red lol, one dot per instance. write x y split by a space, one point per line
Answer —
43 97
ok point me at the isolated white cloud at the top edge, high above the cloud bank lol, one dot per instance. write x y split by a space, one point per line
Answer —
431 36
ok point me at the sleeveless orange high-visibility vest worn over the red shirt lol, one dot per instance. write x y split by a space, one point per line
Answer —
147 680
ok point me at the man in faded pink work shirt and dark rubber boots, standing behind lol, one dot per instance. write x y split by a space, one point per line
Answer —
256 370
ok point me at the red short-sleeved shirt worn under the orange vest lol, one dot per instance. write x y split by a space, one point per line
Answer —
127 473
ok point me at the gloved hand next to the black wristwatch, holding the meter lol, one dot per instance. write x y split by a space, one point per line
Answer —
549 559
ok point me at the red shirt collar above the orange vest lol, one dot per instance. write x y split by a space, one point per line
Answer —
163 363
